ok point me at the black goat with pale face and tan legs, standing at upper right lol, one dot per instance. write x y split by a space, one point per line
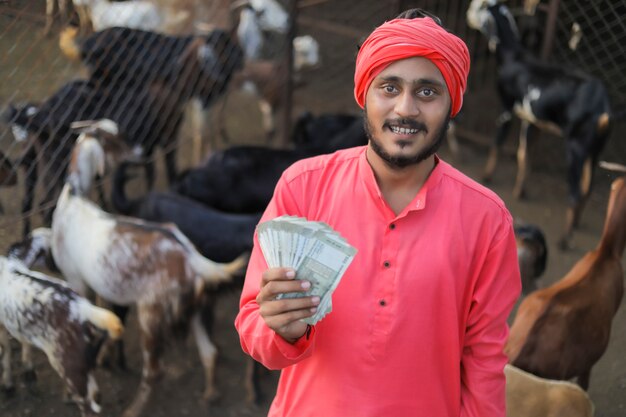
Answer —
553 98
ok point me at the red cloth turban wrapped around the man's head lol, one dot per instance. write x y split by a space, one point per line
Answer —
404 38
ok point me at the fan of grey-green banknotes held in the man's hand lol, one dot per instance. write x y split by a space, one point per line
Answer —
318 254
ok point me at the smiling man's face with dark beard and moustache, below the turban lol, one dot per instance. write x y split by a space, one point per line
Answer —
407 111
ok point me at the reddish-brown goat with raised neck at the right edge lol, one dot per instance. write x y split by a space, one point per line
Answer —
561 331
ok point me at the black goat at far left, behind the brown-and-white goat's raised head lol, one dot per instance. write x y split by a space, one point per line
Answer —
140 118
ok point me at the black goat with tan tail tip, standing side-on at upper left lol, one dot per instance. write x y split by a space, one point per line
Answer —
123 56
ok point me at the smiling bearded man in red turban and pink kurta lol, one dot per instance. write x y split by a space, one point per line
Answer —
419 319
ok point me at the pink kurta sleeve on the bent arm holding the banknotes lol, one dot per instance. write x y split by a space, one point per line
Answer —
257 339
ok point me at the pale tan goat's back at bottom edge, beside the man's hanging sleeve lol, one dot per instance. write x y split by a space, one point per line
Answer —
528 395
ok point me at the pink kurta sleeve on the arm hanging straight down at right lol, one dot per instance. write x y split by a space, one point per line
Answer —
497 288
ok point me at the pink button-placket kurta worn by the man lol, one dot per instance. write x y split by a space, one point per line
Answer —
419 319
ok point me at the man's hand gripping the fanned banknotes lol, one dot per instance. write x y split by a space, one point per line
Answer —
283 316
